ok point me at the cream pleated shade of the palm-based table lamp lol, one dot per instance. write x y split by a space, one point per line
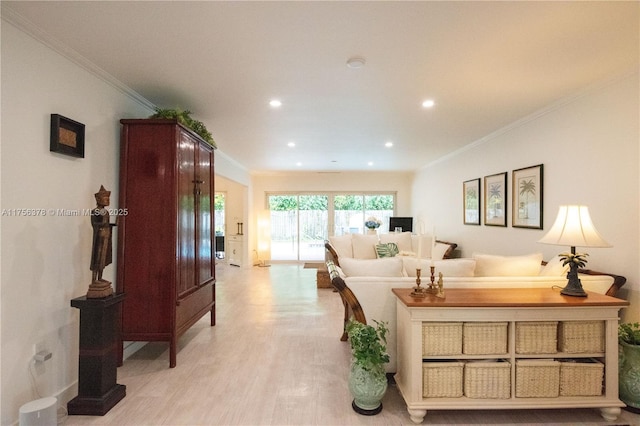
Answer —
573 227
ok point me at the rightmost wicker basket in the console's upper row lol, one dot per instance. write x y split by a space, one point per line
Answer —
581 336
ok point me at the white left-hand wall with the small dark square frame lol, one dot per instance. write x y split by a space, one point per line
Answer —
45 260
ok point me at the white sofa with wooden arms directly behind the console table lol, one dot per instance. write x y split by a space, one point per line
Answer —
367 295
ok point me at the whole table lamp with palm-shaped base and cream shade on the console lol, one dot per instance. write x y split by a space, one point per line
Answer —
573 227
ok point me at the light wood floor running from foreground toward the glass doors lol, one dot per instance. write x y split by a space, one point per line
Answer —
274 358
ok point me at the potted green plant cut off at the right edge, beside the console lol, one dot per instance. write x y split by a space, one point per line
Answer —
629 366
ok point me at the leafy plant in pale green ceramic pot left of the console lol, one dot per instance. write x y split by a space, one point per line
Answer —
367 377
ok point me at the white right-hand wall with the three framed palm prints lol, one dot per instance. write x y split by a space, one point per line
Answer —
589 147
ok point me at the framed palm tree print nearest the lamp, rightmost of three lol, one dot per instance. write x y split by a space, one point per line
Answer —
526 204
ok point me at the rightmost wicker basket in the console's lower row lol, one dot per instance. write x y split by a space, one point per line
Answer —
581 377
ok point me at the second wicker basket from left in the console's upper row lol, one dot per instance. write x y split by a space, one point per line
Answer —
484 338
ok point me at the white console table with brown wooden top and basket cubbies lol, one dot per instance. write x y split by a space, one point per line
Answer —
511 306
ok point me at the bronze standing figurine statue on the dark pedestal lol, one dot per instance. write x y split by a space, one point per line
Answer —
101 252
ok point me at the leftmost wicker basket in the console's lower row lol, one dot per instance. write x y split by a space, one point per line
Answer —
442 379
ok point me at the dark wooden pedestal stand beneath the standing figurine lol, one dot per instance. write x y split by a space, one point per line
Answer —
98 391
